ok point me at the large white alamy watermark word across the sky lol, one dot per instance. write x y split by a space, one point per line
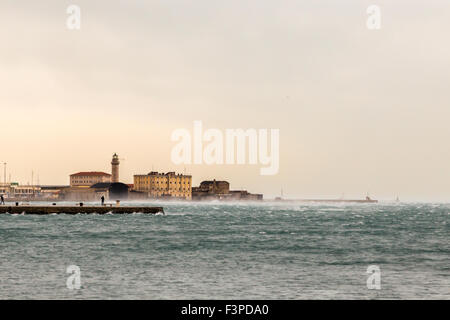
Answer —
234 146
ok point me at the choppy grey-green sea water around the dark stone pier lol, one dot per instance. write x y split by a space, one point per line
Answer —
231 251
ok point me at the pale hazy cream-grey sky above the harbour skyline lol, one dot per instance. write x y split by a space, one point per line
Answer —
358 110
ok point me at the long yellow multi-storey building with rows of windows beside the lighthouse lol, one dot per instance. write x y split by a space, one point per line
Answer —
159 185
